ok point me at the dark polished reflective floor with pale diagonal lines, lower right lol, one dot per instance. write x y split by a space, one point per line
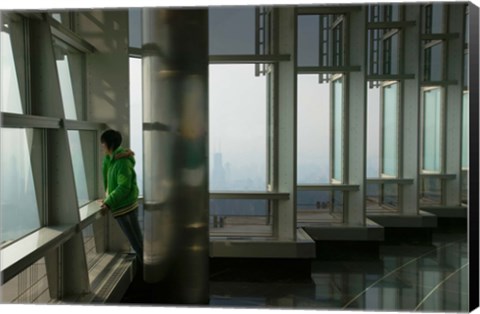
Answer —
407 276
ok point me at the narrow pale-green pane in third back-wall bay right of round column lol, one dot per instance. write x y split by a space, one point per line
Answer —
390 130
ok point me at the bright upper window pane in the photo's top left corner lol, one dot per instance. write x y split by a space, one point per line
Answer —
11 88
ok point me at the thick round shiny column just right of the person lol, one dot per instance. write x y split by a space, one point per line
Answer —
175 93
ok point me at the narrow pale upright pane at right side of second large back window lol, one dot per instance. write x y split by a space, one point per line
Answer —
338 129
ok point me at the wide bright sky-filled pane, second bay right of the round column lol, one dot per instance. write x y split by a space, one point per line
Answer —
313 131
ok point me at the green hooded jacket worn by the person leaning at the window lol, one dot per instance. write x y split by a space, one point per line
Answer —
120 182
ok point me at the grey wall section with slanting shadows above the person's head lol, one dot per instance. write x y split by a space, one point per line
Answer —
108 67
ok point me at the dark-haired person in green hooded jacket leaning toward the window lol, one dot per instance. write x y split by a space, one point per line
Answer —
120 182
